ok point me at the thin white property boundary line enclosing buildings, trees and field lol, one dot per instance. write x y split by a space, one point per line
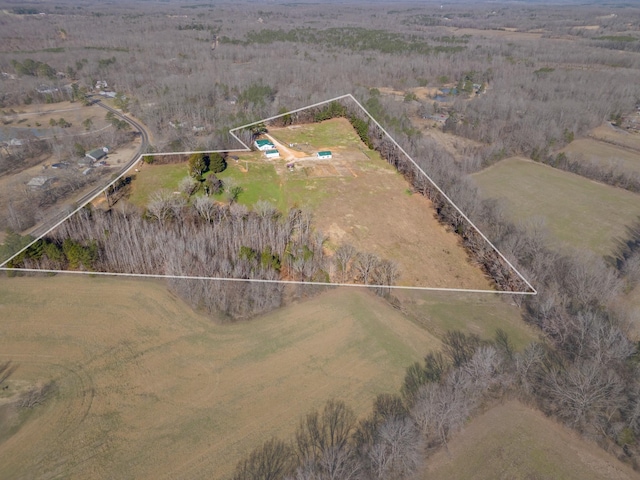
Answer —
289 282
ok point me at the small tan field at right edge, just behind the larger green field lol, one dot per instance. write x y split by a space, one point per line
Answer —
604 154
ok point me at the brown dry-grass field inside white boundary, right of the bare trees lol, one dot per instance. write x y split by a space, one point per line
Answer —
368 204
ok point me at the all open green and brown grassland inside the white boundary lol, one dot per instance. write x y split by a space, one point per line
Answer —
356 198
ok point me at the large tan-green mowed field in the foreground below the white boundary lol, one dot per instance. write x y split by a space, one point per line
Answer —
146 388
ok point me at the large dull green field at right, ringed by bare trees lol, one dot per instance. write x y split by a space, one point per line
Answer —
577 211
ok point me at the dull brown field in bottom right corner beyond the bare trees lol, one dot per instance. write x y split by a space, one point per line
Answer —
512 441
